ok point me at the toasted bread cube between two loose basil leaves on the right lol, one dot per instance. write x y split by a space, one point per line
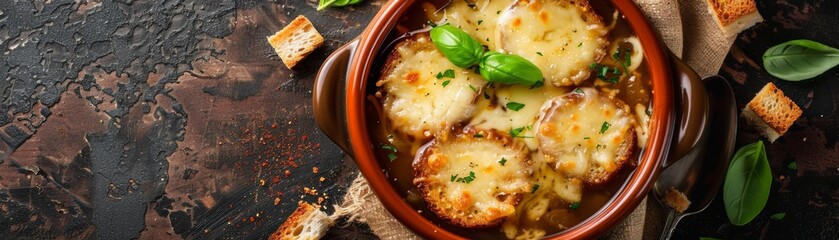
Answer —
771 112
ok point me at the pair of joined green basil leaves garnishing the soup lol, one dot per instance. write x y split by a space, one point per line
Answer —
466 52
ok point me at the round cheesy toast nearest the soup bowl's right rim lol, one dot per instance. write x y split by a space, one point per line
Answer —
584 134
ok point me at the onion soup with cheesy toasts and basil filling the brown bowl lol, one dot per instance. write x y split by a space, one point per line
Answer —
506 119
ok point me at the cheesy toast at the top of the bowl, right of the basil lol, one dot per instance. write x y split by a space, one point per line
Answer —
561 38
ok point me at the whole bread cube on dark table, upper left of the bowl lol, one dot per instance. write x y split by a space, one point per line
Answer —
296 41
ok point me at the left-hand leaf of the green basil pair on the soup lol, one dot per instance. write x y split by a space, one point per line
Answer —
460 48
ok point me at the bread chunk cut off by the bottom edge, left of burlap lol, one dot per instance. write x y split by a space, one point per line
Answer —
306 223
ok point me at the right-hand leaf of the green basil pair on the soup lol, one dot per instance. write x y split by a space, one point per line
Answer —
509 69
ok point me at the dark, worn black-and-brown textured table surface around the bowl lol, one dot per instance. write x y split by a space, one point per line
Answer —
174 118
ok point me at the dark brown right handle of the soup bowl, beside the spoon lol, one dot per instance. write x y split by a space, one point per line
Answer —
692 110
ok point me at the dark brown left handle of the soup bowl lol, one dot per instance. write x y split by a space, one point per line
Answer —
329 96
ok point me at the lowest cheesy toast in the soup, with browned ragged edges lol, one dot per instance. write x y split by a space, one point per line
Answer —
473 180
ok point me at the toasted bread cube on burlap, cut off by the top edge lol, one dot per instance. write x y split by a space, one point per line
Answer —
734 16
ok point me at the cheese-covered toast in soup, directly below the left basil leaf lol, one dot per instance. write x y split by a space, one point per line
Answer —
417 103
